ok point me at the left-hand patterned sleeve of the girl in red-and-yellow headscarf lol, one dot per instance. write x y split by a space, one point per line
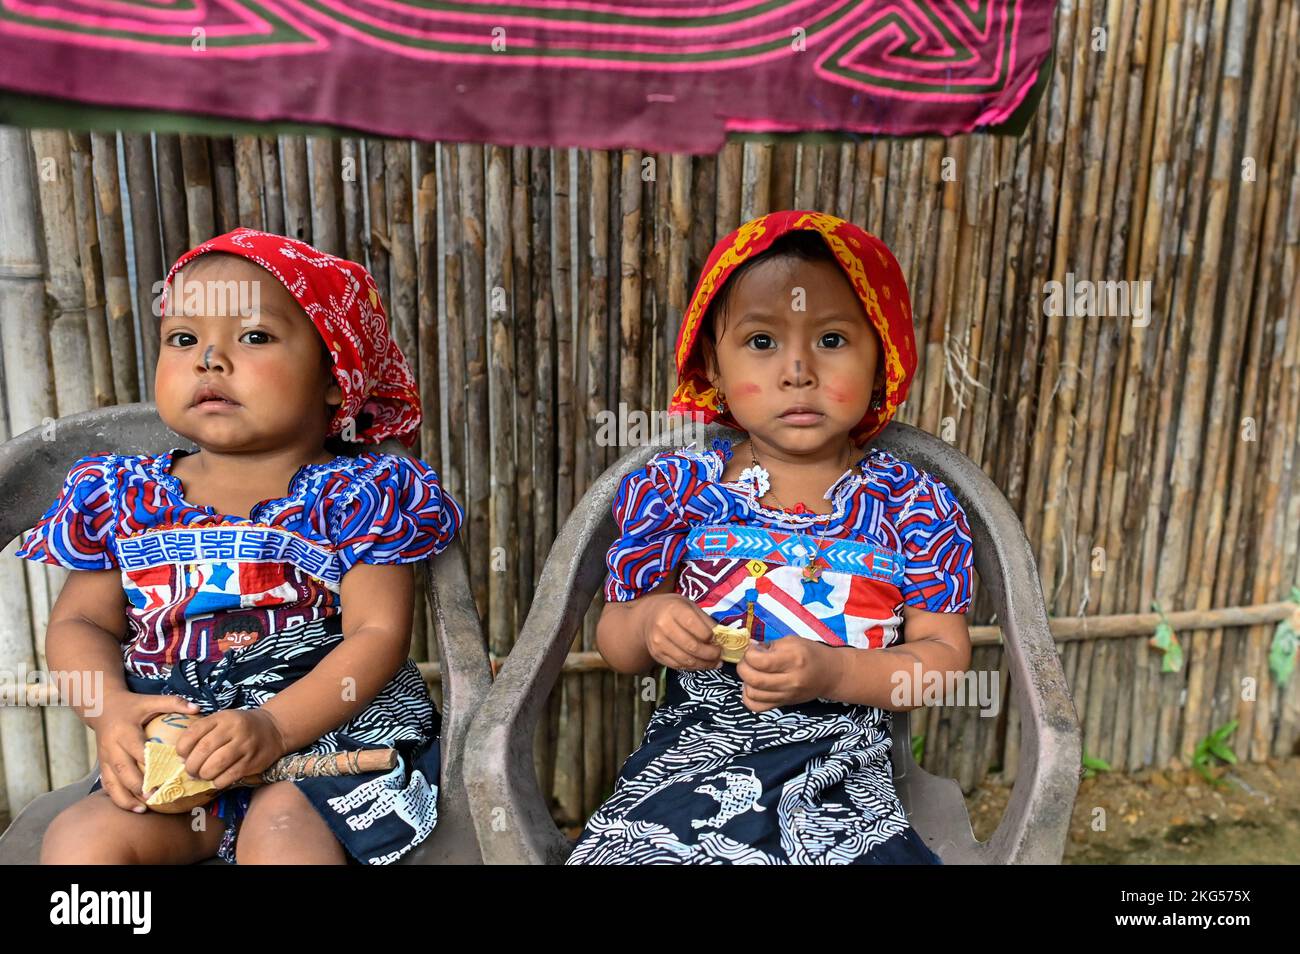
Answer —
652 530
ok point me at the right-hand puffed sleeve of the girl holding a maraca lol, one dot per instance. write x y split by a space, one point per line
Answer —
395 513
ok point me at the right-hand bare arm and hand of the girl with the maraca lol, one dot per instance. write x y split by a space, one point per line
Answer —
378 608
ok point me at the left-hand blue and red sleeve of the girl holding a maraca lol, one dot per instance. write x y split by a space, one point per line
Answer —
77 531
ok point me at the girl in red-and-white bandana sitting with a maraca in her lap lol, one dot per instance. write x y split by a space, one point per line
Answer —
255 583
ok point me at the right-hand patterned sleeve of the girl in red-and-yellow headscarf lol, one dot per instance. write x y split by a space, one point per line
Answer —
938 549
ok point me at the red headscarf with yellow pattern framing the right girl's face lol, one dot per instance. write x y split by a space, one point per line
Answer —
872 271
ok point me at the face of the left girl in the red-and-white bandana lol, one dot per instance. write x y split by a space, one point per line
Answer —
241 367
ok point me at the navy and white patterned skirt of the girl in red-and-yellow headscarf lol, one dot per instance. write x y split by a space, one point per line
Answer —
714 783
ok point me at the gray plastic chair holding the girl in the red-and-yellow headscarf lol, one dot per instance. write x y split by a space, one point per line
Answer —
512 814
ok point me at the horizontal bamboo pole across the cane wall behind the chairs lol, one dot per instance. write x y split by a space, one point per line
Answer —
1064 630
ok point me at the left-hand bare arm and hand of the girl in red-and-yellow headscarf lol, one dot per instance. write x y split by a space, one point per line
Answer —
660 627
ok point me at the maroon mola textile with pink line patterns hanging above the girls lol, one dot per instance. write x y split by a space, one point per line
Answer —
671 76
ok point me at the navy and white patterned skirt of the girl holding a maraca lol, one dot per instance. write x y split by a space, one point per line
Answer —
378 817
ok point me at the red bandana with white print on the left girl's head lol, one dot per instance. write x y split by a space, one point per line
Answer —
343 301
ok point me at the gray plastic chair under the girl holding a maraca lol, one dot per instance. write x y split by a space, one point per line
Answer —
32 475
